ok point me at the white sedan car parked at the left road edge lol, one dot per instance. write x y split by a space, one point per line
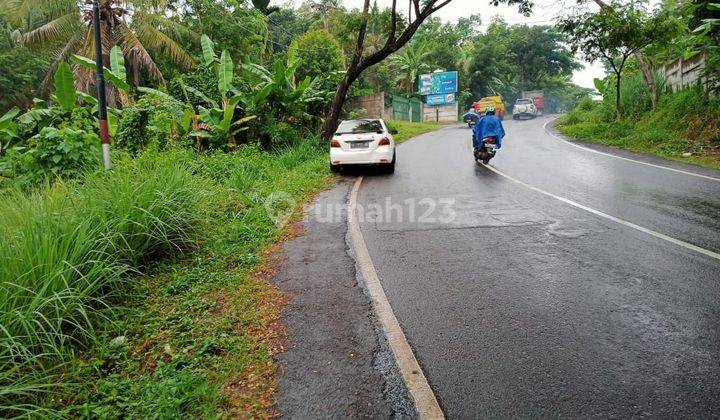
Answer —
363 142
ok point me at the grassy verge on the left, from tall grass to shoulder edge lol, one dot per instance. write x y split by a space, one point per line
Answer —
164 334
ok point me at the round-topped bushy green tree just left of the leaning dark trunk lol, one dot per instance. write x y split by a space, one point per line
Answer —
317 53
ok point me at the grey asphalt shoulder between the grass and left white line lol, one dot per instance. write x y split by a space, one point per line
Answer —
335 363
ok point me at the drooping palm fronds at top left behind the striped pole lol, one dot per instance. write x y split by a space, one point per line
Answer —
139 27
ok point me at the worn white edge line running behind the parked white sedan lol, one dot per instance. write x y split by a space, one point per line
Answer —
425 402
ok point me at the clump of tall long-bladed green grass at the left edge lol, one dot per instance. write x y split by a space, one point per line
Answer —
65 254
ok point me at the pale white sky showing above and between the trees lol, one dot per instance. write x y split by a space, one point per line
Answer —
545 12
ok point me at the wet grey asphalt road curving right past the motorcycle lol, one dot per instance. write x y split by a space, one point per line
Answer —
518 304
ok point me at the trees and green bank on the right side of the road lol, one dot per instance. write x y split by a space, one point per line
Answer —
639 109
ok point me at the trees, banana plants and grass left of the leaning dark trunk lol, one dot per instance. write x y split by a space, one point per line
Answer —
141 292
